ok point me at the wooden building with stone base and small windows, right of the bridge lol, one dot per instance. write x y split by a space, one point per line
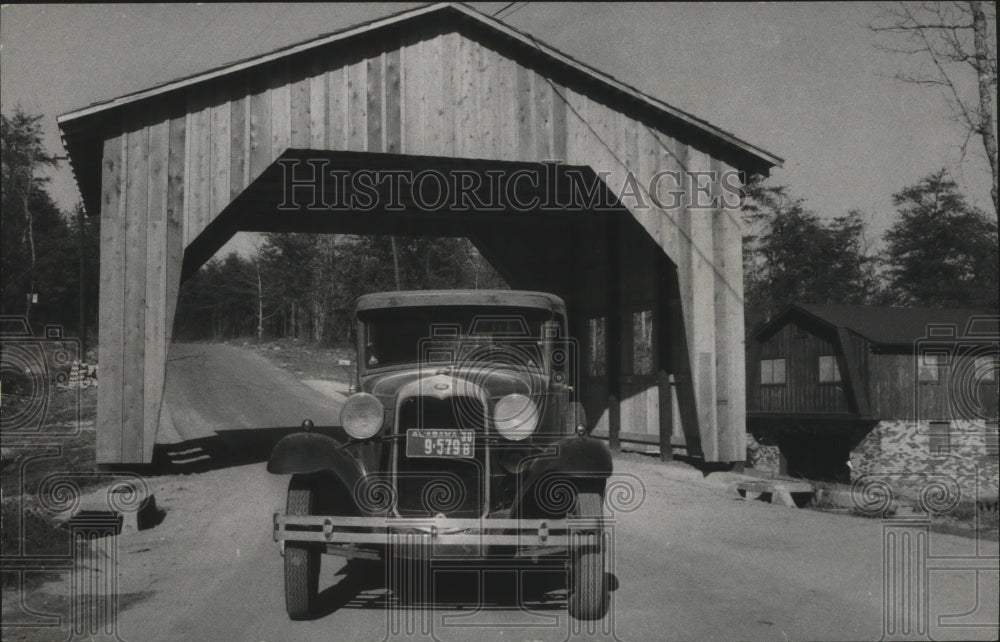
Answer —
837 392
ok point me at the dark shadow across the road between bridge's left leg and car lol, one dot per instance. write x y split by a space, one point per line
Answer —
224 449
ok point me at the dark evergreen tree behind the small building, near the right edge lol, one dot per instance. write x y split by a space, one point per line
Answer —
941 251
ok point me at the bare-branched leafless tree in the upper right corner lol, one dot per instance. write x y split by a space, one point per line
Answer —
958 39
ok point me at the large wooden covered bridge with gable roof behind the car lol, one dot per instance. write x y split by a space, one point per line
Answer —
653 285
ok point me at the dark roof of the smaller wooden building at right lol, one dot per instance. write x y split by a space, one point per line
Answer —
894 326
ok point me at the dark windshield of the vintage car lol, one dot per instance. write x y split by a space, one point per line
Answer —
454 335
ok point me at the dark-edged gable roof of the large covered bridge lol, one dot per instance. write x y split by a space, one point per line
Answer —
81 127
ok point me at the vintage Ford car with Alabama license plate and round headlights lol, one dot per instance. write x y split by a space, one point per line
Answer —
459 441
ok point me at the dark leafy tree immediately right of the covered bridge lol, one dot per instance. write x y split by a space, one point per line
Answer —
790 255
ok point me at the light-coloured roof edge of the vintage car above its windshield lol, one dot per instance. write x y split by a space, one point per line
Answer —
499 298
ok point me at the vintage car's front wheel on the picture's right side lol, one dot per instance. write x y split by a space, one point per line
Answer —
588 596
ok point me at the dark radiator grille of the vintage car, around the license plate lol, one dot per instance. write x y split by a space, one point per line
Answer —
441 485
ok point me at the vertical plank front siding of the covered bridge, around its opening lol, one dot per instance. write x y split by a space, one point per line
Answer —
442 95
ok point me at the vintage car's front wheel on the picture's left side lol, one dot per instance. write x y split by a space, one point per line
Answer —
302 559
